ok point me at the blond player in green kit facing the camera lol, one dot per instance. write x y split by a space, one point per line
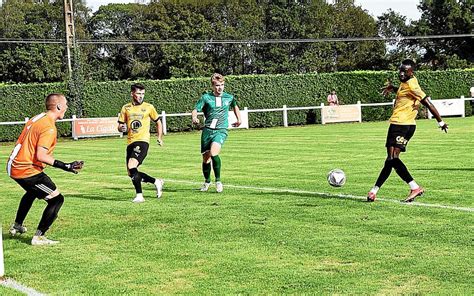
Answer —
215 105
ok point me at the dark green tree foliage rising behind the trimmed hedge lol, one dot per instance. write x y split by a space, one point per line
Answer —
126 26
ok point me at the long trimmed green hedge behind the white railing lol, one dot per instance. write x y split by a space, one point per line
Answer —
252 91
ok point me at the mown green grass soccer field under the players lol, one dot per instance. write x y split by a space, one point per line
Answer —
278 227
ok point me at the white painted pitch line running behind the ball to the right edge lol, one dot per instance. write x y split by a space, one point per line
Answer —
323 194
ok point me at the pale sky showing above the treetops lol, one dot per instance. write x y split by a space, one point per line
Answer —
374 7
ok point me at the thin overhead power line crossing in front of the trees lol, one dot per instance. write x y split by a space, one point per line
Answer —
229 41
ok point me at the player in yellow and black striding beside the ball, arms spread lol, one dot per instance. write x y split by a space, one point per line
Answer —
402 127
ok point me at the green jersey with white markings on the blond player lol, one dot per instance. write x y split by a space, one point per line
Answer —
216 109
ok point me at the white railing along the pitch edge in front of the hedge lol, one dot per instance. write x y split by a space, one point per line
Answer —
284 109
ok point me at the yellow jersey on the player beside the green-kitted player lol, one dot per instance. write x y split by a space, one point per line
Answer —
137 118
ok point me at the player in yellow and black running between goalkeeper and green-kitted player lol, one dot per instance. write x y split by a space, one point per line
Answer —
135 119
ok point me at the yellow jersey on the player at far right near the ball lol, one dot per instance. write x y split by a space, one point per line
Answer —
409 96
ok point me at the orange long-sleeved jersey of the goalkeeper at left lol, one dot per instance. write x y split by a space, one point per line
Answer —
40 131
